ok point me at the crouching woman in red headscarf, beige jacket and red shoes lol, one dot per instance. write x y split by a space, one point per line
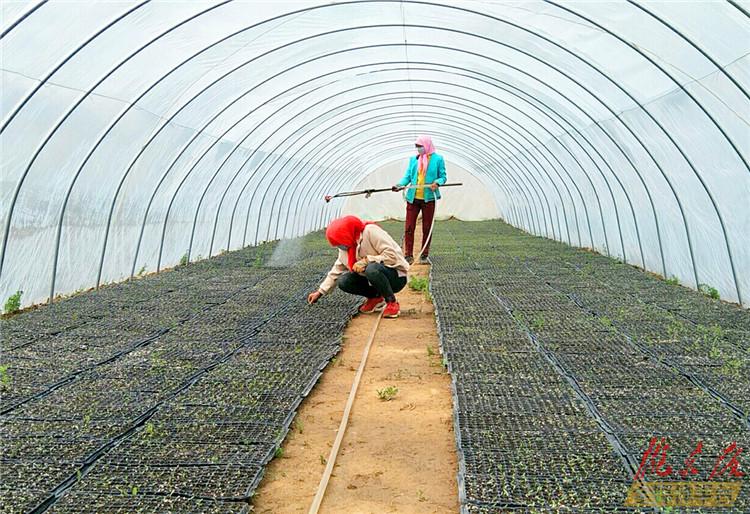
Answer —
370 264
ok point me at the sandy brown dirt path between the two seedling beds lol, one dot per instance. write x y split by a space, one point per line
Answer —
396 456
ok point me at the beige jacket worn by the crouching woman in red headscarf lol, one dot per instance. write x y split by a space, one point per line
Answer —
375 245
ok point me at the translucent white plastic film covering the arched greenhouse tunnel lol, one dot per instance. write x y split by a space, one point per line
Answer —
137 134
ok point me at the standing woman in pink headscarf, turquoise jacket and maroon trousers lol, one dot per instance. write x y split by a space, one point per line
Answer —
427 167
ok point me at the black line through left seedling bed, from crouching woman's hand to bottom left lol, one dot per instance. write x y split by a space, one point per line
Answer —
92 459
